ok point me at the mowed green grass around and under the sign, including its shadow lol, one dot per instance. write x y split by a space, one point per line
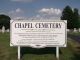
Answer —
71 52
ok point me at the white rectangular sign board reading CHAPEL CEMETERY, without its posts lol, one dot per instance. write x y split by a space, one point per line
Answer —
38 33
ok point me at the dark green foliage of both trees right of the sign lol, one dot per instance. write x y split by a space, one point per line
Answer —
71 16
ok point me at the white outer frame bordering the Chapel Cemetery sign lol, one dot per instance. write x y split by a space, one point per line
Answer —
40 46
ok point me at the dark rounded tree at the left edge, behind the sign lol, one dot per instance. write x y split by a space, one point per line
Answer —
5 21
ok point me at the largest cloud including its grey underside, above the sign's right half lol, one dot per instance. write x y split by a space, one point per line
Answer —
49 13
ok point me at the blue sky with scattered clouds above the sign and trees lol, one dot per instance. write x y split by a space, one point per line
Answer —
50 9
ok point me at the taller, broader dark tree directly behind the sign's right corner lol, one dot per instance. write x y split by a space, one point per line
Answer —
67 14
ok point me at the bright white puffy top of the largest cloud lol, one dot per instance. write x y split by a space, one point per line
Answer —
50 11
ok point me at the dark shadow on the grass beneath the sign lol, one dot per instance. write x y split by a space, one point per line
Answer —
29 50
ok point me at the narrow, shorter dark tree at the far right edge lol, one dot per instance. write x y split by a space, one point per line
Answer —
76 21
